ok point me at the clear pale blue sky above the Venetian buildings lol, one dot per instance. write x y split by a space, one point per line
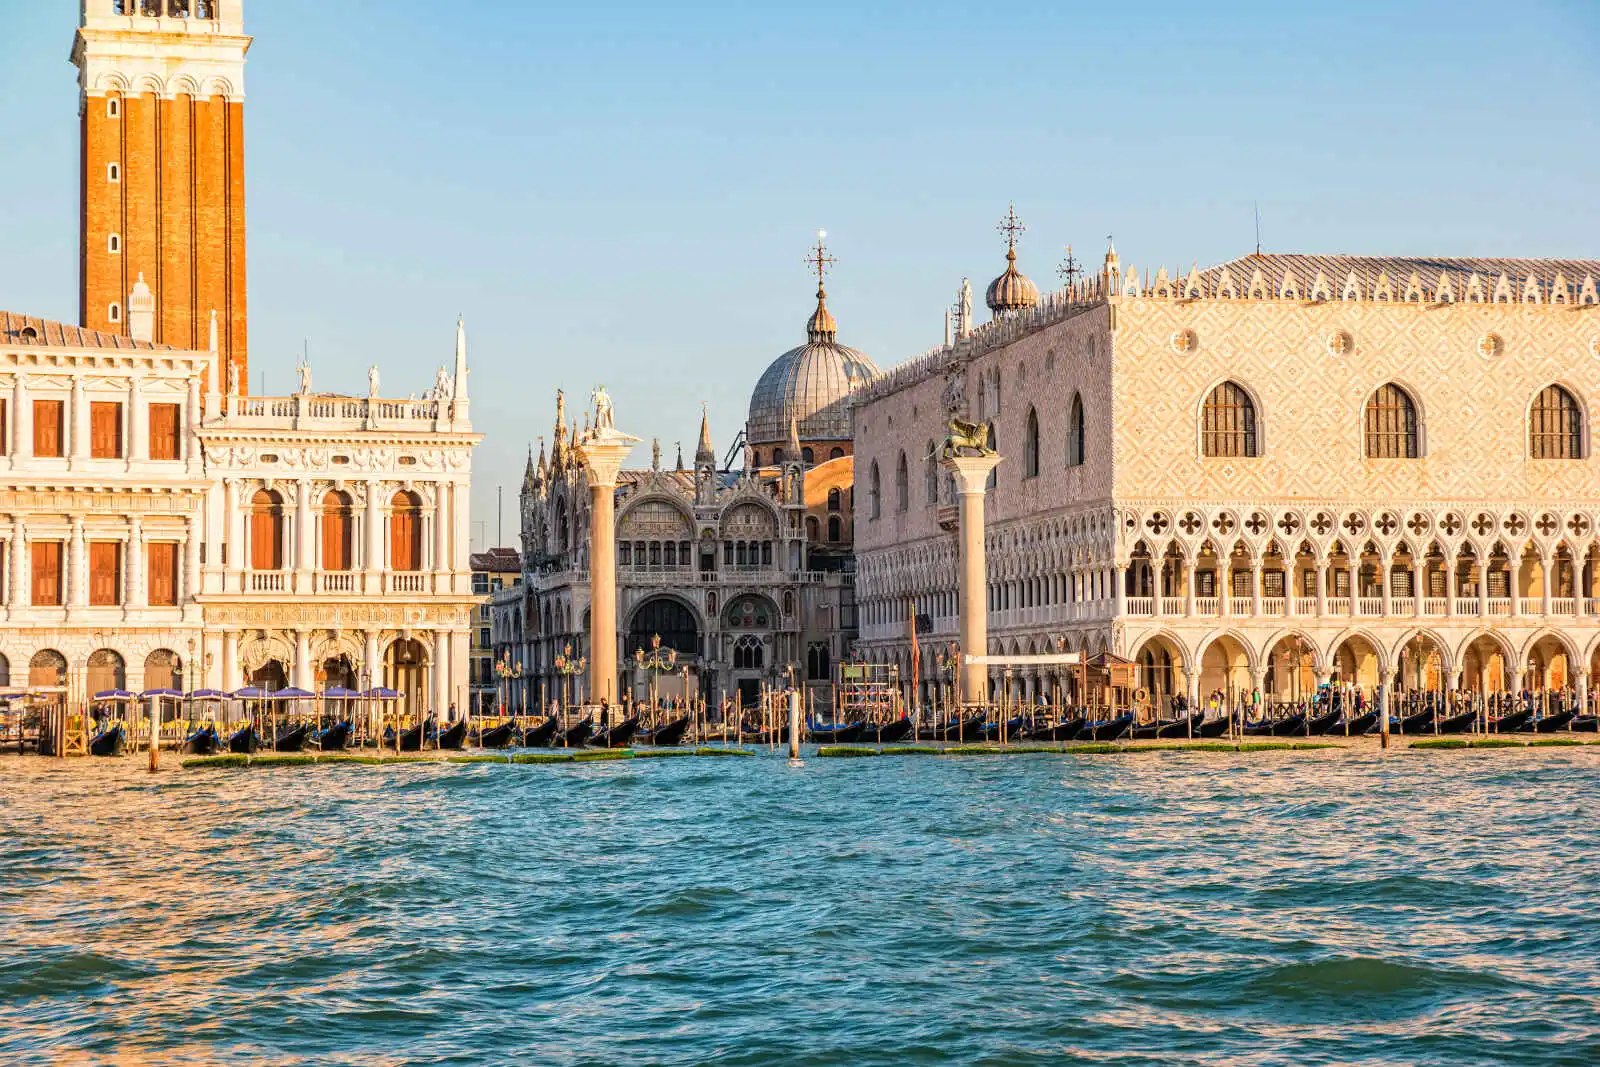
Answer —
625 193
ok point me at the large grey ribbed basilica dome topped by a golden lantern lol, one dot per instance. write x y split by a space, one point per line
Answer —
810 385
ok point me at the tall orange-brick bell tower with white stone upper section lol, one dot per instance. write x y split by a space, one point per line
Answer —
162 100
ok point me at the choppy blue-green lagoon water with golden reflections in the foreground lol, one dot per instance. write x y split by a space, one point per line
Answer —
1196 909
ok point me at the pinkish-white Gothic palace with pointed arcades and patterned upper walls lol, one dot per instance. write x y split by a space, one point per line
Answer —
1270 474
